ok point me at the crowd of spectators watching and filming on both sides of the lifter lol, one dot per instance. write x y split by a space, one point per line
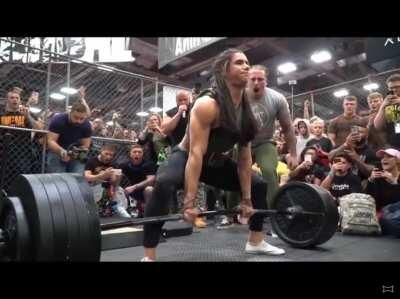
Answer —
347 154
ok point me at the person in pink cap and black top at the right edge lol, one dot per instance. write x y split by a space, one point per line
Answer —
383 184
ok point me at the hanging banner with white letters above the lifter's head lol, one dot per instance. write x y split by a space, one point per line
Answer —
172 48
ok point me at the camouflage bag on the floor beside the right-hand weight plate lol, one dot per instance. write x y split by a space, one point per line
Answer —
358 215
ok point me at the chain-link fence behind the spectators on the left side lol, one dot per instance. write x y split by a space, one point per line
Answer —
115 96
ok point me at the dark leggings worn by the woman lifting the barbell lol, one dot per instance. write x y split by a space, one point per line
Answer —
171 176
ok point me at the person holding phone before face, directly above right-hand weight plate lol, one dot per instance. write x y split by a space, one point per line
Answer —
309 170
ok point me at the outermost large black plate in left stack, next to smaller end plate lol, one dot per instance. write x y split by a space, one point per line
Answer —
38 213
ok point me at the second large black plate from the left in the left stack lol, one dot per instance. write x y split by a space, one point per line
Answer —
58 216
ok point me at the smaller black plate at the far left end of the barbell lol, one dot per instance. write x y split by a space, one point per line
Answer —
14 222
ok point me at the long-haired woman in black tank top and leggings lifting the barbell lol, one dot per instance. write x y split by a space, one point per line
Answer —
220 118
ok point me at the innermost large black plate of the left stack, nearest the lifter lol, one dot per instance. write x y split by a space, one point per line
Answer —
93 213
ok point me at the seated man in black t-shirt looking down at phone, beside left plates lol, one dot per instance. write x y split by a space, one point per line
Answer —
104 180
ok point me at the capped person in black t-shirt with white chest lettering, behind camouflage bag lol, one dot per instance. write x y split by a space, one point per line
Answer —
341 181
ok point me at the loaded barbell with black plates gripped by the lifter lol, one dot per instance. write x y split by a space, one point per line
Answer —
54 217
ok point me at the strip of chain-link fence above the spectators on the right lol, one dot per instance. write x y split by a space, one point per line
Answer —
325 105
